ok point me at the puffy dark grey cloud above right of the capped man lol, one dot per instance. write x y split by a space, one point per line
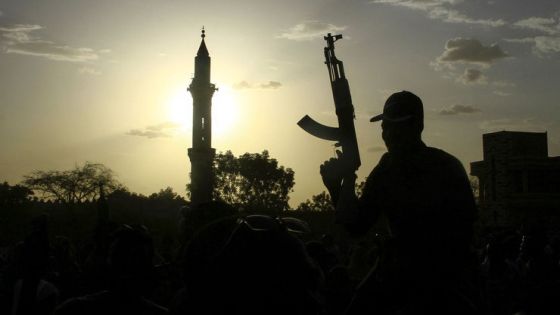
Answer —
468 50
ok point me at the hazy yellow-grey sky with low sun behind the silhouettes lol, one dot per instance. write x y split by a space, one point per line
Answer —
105 81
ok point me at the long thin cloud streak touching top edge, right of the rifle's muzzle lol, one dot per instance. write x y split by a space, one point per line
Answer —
440 10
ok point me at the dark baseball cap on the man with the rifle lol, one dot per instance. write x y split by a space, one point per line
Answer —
401 106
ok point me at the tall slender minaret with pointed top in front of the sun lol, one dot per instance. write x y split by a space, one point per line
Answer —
202 154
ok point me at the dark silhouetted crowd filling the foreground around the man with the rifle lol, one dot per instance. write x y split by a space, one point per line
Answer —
253 264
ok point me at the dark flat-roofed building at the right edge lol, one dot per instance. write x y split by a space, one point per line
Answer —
518 182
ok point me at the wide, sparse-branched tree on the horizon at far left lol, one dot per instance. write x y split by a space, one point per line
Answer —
79 184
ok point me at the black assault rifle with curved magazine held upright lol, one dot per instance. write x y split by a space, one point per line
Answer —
344 134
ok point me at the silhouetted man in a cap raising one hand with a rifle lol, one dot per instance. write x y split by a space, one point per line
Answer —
425 196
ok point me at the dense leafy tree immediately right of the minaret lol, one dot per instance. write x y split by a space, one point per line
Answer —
252 181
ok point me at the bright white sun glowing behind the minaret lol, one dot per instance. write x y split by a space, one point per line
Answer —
224 110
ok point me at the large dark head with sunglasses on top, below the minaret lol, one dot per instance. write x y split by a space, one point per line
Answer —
250 265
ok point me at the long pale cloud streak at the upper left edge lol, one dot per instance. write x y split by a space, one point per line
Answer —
20 39
